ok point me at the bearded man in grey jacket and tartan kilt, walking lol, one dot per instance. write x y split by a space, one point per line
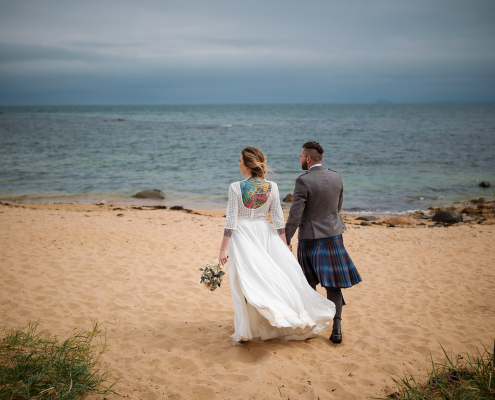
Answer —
315 211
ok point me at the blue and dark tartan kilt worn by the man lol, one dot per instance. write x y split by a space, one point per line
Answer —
326 261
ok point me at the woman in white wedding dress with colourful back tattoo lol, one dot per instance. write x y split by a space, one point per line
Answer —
271 296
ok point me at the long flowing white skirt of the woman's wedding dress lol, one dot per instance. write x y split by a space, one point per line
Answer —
271 296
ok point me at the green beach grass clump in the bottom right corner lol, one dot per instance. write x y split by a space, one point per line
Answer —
463 379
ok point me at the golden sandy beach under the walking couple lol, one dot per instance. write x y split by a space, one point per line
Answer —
136 270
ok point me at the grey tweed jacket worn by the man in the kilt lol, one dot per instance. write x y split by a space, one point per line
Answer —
316 205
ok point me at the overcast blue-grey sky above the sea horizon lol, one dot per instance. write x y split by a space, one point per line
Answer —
176 52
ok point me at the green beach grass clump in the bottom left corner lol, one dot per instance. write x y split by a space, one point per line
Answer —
35 364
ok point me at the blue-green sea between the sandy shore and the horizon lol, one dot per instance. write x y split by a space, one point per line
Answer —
393 158
